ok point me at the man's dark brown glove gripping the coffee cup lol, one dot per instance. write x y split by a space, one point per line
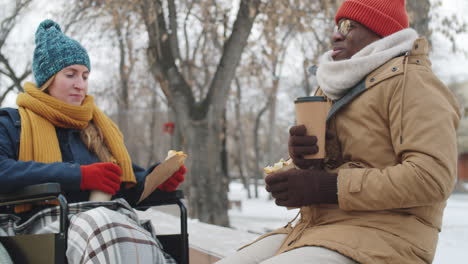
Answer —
299 145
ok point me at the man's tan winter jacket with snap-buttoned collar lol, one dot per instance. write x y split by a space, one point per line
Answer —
395 152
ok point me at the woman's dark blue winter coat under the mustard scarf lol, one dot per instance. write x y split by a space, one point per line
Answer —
15 174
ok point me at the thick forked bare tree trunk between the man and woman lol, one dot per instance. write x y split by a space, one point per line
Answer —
201 120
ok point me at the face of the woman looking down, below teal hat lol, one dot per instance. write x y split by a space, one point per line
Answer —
70 84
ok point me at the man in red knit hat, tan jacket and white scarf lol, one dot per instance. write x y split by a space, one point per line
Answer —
391 151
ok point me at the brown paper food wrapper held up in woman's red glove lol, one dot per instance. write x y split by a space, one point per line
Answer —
162 172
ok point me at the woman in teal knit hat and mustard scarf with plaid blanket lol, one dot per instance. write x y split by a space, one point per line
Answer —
59 135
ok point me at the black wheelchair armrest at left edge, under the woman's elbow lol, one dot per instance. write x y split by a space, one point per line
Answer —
31 193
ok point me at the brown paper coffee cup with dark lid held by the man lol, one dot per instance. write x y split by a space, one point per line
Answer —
312 112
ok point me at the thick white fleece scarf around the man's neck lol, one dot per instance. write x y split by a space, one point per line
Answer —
336 77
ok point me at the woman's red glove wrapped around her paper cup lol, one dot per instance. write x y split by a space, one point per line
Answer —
103 176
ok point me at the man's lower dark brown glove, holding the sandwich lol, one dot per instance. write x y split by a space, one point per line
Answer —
296 187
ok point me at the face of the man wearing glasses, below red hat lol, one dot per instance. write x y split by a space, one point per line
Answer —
349 38
